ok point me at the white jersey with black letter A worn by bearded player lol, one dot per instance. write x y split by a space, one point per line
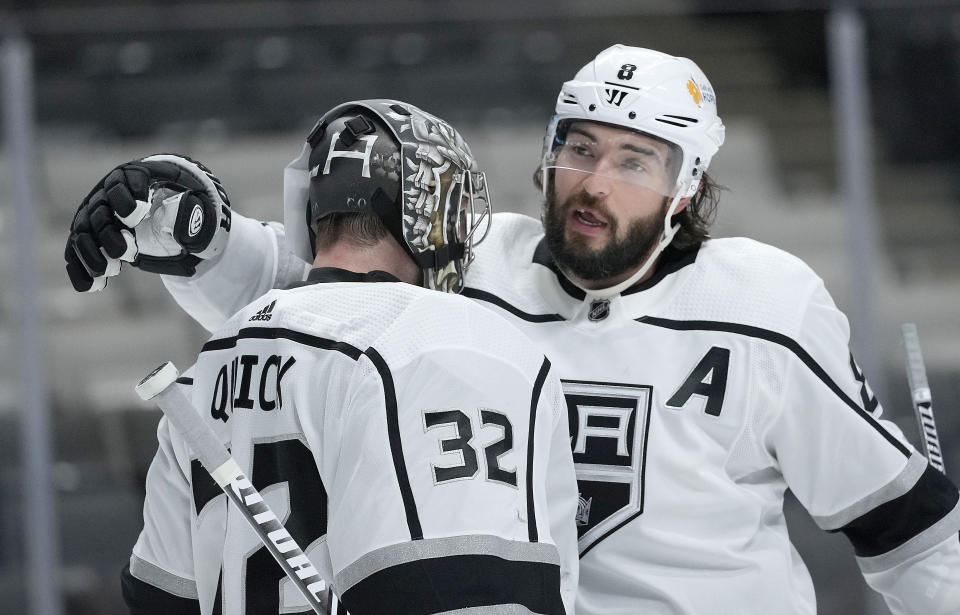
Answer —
695 399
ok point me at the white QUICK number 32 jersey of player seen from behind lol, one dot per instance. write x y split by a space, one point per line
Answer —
414 444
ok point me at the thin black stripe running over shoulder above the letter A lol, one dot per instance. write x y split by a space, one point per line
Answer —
791 345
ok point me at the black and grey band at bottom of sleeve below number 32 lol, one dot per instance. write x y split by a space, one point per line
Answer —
463 574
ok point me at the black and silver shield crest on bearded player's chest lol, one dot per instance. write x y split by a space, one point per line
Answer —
609 423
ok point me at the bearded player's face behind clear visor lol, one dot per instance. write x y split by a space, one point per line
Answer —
607 200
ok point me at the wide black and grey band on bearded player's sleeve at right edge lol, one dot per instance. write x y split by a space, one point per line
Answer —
907 525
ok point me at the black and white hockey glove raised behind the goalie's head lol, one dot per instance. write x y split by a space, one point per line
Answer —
164 214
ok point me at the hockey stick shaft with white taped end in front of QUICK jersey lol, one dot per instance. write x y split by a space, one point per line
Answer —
159 387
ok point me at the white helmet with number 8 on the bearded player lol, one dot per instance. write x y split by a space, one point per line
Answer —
650 92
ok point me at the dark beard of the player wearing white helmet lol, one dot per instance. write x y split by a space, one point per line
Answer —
617 257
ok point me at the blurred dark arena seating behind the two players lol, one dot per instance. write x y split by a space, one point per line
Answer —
861 182
